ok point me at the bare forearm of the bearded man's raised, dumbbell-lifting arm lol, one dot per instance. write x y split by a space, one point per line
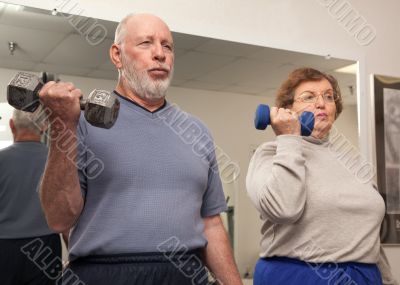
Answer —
60 192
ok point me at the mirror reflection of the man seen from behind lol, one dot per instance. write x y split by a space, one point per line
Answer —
23 228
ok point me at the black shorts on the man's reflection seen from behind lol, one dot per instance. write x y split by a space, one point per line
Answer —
33 261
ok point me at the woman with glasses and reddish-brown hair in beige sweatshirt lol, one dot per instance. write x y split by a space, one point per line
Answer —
320 222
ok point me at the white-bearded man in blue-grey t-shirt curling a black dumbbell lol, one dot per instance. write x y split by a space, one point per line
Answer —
152 215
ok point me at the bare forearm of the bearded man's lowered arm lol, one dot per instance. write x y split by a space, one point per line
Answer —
218 253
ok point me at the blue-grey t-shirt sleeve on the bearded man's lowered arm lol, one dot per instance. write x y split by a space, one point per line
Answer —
213 199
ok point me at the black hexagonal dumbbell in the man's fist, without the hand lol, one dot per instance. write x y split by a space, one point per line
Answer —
101 107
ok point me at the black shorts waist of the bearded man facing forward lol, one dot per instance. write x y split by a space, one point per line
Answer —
138 269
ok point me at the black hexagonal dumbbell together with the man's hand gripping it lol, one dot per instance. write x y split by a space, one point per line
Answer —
63 99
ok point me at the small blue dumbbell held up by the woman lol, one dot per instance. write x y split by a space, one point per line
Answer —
262 120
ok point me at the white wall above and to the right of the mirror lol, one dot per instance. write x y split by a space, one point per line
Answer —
304 26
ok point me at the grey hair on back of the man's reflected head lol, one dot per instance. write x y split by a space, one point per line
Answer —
33 122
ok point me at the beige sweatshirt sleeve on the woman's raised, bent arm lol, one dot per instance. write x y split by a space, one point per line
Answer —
276 179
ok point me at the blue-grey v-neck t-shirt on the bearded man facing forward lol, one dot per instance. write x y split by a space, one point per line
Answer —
153 176
